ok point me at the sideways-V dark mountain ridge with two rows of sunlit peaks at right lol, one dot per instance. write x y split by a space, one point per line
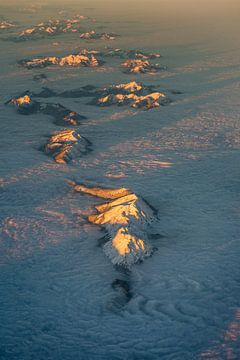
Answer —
133 94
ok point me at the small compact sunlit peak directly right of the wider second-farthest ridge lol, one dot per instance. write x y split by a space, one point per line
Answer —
136 66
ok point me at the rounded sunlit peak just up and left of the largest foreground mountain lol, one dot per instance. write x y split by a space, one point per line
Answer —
63 144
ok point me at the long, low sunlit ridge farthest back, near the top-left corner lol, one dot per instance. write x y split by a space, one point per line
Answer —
50 28
